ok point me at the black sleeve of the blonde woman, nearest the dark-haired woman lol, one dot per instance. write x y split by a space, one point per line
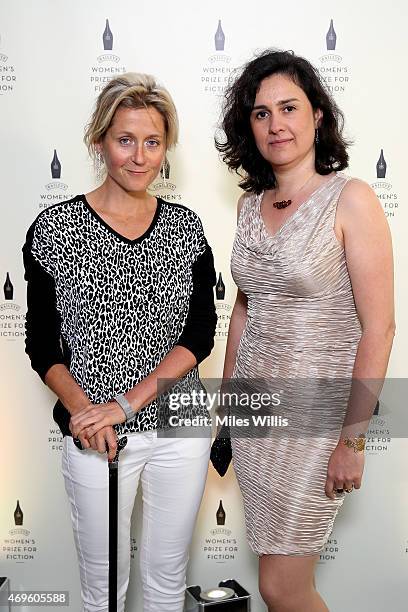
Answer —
199 330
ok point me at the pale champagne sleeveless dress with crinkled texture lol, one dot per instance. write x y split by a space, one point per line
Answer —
302 329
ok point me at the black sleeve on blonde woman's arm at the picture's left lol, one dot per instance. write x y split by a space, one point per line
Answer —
43 323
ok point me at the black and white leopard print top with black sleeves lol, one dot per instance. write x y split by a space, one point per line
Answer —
112 308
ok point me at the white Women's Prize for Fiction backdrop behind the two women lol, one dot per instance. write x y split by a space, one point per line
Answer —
55 56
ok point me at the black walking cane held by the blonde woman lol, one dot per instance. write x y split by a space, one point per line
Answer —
113 523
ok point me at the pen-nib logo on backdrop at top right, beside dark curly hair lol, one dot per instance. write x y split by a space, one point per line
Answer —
332 67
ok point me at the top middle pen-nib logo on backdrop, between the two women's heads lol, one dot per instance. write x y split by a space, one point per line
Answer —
217 66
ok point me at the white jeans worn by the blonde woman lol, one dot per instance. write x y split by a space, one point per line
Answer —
173 472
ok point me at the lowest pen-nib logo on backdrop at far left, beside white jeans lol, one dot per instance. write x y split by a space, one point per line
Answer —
18 545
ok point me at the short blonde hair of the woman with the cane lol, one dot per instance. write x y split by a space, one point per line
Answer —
131 90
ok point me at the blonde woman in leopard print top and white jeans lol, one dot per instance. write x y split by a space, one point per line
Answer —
120 295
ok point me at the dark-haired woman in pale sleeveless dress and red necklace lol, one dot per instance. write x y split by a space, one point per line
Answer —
312 259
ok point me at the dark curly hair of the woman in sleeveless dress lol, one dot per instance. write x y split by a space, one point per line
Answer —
237 145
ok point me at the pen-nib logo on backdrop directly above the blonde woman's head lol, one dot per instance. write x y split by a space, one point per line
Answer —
107 64
